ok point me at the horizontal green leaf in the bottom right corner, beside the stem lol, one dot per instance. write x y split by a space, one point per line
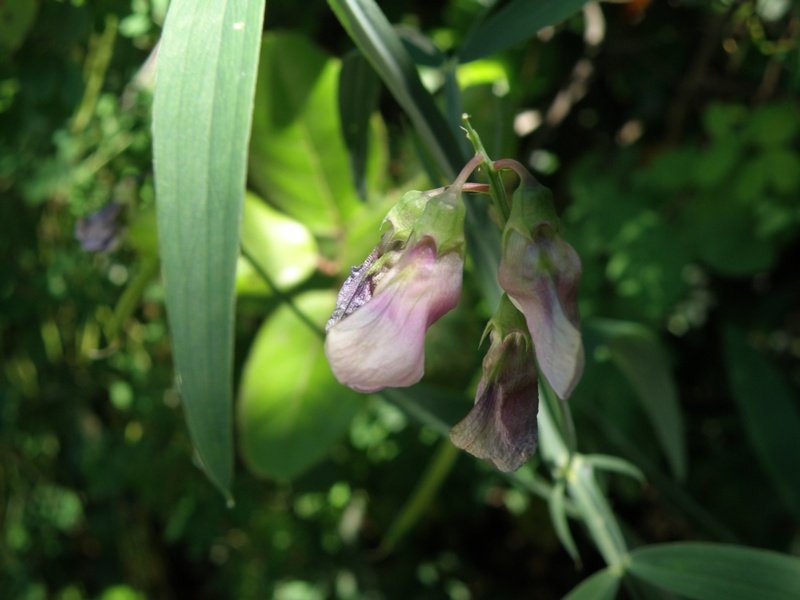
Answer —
717 571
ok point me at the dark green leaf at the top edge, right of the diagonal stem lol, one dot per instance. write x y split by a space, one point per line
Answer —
514 23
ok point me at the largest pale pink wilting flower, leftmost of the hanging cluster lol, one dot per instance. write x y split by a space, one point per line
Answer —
376 334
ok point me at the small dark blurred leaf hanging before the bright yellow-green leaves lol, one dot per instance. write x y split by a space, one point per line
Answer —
359 87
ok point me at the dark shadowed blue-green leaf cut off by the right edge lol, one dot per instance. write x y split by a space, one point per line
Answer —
770 414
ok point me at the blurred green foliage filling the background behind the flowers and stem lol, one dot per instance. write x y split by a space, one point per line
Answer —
674 149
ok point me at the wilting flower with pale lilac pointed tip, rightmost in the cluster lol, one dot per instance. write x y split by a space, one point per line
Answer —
540 272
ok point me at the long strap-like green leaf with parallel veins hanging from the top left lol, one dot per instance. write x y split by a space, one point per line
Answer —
202 111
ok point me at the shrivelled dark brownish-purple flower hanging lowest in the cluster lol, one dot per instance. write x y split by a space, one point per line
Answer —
501 427
